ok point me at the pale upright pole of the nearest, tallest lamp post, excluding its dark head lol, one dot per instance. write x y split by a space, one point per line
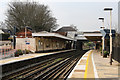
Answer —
110 38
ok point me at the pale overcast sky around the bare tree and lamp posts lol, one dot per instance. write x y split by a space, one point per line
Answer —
82 13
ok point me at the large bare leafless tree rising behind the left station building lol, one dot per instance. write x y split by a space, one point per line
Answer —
36 16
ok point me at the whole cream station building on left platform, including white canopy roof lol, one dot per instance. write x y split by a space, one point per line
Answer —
42 41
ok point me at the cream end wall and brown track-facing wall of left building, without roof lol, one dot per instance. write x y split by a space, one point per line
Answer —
40 43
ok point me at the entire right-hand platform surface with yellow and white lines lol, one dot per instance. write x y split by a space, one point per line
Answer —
92 66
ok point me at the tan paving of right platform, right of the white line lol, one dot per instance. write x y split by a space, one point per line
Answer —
104 69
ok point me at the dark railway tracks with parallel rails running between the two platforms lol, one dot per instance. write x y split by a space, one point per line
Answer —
56 67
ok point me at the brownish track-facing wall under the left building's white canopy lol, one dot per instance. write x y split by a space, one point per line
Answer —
47 43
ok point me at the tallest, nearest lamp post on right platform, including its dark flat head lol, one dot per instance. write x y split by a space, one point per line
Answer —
110 9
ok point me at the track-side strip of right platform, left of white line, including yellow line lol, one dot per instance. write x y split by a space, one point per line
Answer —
80 69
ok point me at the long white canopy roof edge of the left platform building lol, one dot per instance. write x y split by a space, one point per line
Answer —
43 34
